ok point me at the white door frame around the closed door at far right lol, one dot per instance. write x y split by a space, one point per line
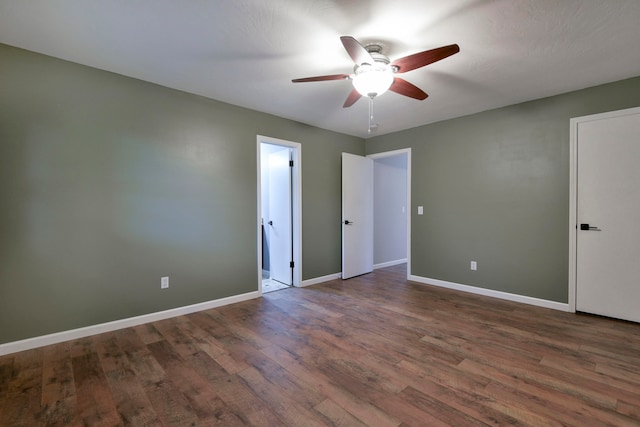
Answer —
573 193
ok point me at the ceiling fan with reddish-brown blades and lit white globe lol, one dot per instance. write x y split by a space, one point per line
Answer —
374 73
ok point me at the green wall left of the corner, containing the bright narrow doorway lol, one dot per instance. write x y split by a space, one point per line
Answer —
108 183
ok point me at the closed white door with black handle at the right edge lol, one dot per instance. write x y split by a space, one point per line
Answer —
608 211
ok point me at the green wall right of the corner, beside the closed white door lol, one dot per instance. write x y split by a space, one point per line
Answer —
495 189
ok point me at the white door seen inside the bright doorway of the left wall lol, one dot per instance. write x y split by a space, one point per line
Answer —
279 221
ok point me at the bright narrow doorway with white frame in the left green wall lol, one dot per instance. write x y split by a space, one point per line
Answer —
279 218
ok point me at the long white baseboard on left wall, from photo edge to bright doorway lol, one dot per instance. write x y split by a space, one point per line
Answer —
58 337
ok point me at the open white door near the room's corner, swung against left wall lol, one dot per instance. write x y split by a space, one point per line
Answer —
357 215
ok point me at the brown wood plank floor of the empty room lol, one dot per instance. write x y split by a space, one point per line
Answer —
374 350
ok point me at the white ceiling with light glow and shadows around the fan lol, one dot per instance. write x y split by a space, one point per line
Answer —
245 52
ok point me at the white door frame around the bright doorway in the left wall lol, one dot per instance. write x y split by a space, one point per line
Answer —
296 203
